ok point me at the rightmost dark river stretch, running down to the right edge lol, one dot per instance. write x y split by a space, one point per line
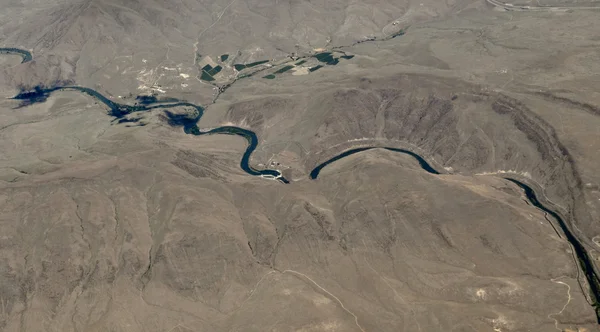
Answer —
582 255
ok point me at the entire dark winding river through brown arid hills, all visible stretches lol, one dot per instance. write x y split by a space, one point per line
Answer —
190 126
